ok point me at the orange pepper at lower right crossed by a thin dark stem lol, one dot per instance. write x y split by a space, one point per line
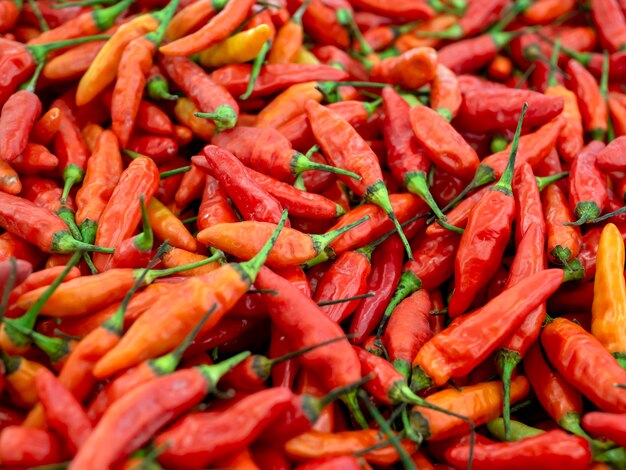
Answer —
480 403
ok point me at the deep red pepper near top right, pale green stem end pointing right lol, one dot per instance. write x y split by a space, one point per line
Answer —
469 55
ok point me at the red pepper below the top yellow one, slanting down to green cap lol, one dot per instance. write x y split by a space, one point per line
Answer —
211 99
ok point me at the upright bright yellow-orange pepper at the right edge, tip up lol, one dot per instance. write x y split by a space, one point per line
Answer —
608 312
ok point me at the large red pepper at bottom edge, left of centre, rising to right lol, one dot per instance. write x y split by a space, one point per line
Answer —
219 434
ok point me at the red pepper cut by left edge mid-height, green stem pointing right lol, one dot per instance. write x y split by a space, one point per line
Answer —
44 229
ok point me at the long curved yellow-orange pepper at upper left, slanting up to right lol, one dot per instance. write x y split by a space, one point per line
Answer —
103 70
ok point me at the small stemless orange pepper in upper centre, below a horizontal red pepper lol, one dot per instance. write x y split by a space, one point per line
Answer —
289 104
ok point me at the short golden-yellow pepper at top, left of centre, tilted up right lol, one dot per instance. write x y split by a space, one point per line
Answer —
237 49
